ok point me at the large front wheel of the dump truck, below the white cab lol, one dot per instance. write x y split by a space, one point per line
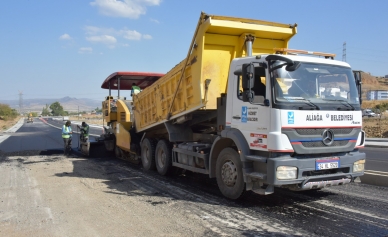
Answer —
229 174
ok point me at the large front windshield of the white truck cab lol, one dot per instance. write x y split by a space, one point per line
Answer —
317 85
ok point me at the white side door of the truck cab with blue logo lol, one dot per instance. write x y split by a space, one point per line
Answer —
252 119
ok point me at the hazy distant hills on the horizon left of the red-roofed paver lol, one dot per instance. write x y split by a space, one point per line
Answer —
68 104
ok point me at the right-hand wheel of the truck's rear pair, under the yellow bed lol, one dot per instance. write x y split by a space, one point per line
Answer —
163 157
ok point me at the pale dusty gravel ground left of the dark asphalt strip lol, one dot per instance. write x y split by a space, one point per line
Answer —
45 196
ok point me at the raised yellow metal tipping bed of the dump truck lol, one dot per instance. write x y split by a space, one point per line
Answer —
216 42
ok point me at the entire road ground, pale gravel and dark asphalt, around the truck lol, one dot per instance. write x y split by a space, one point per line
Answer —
46 194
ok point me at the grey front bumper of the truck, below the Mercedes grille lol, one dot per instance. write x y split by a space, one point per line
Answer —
307 175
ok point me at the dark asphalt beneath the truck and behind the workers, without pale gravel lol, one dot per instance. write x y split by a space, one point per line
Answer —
356 209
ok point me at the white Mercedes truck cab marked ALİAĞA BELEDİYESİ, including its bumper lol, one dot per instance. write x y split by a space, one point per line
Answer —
303 129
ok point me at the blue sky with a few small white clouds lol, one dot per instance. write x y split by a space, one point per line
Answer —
58 48
